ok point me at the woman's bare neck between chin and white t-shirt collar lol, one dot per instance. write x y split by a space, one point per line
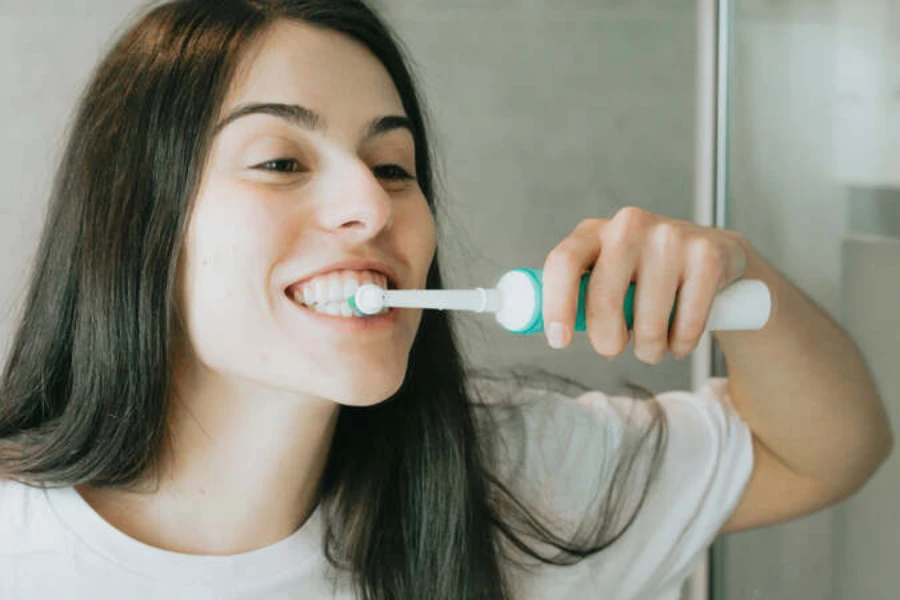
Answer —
241 473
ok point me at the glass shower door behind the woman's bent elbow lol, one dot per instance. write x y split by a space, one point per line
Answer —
812 179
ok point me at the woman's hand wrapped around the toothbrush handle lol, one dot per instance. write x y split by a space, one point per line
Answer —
663 257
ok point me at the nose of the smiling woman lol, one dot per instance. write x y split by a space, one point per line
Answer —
355 203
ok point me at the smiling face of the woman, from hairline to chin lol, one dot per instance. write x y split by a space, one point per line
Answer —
315 177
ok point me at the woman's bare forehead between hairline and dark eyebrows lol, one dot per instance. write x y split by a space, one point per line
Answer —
326 71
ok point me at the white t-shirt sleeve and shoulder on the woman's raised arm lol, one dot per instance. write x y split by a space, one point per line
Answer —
566 462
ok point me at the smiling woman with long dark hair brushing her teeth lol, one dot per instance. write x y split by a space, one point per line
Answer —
181 417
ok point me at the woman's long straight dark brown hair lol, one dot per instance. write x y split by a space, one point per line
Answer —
412 508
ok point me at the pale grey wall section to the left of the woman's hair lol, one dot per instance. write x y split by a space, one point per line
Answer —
49 49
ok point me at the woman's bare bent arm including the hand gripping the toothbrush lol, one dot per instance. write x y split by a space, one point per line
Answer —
819 429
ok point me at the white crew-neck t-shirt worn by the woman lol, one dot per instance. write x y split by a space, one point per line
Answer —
54 546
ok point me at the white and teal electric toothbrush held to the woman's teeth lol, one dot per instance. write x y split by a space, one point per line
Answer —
516 302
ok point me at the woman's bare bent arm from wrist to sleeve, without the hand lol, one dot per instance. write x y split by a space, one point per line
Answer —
805 391
